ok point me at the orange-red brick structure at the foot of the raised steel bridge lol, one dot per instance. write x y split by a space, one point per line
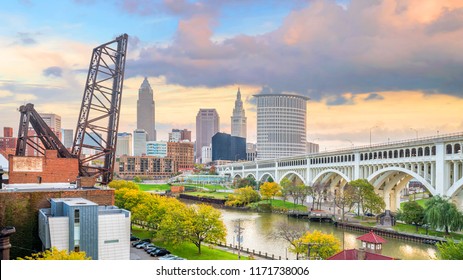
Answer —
54 169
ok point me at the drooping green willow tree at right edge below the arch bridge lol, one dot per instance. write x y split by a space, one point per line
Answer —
440 213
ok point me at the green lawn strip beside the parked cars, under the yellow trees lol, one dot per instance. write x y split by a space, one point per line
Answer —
188 250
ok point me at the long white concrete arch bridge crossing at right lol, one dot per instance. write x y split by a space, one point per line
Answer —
436 162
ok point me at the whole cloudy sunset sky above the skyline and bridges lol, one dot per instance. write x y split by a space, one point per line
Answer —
389 69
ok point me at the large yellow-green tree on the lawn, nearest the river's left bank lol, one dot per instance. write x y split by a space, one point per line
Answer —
204 225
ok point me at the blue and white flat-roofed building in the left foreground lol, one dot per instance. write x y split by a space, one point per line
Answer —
78 224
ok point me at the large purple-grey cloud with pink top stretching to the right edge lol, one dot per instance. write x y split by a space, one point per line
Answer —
320 50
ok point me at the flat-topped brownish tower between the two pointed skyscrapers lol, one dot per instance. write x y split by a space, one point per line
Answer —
207 125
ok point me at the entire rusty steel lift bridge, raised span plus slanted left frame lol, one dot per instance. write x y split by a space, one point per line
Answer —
98 121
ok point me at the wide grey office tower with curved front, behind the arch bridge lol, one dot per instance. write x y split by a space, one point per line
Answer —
281 125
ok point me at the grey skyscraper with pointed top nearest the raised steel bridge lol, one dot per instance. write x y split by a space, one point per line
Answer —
145 110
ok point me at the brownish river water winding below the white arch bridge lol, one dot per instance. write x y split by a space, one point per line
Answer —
258 228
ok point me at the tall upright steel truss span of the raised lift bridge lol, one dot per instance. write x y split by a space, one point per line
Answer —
98 121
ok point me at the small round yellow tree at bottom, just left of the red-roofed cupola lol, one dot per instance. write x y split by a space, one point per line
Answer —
320 245
